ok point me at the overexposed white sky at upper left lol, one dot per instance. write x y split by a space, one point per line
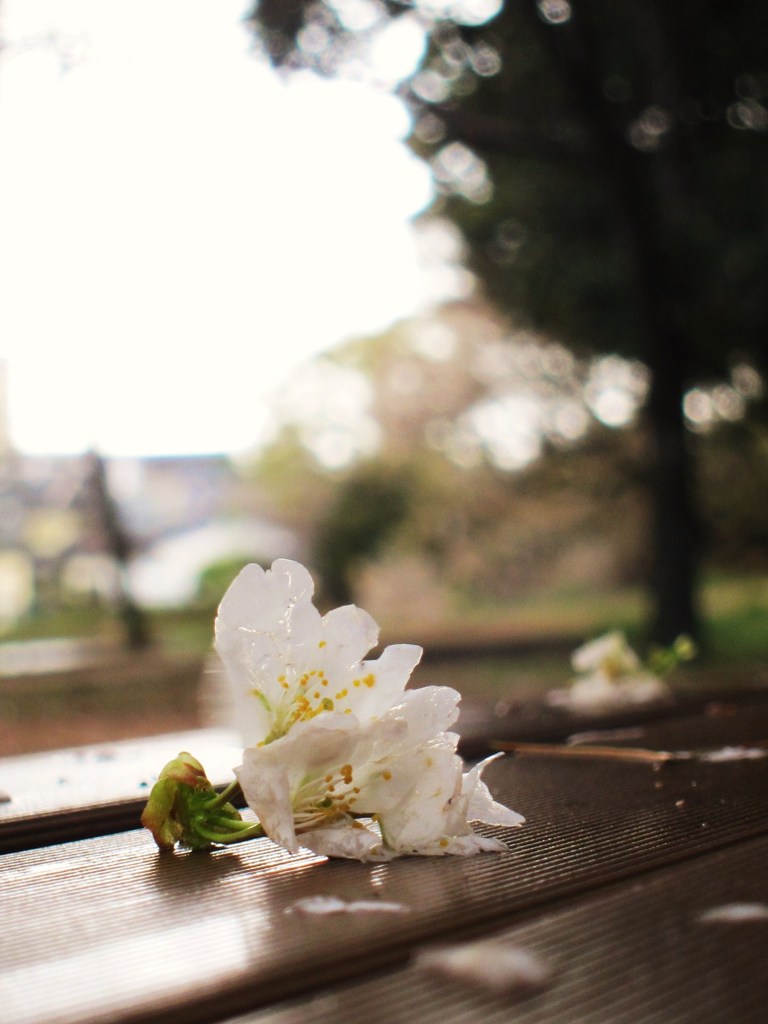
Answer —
181 227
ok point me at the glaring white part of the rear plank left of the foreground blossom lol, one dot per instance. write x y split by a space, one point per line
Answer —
94 791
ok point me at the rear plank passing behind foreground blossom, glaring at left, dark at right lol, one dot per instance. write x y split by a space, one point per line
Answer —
95 791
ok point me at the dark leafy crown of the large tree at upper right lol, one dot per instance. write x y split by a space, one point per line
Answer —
617 158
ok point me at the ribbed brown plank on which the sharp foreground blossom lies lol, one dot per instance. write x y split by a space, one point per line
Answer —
108 930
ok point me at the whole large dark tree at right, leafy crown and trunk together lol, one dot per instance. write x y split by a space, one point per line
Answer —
608 165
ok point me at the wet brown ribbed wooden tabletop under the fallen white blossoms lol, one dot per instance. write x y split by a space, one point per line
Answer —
606 885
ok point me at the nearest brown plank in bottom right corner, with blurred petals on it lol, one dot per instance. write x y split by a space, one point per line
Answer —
688 945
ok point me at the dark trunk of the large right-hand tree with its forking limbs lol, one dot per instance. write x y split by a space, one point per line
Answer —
651 196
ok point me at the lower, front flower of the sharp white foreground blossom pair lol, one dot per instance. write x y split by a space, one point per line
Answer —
312 786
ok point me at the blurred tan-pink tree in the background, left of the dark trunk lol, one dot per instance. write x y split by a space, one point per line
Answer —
463 408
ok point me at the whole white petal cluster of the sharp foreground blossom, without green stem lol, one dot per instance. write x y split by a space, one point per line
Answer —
332 739
